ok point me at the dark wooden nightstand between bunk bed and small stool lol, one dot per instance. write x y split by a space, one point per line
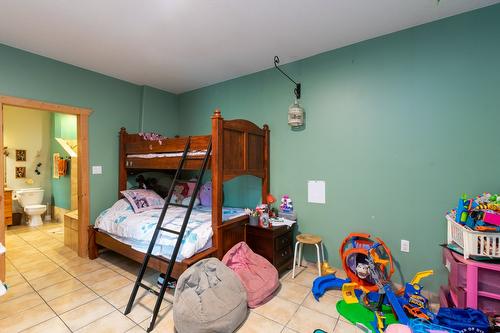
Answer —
275 244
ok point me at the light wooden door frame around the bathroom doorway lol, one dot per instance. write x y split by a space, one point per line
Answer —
82 115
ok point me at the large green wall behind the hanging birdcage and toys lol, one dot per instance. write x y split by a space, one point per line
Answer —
398 127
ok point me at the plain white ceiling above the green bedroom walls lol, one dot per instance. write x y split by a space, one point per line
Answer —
180 45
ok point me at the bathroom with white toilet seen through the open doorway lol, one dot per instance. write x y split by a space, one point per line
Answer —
41 178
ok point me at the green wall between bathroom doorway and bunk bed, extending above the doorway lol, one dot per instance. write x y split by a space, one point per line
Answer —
115 103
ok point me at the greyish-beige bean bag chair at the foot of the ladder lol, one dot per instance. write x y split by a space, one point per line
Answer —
209 298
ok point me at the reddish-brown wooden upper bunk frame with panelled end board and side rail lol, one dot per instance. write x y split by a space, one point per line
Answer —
239 147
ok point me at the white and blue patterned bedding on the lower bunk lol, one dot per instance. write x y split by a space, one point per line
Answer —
136 230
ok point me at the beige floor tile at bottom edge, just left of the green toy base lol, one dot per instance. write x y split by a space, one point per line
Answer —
306 321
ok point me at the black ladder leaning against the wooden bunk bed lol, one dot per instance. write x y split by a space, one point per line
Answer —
180 234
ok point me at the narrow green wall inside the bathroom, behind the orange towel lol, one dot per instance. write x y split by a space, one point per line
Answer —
63 126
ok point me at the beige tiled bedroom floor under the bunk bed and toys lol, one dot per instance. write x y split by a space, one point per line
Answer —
52 290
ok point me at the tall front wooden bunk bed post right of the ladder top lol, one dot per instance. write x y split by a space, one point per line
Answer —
217 178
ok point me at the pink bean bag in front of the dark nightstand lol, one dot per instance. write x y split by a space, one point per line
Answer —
258 276
